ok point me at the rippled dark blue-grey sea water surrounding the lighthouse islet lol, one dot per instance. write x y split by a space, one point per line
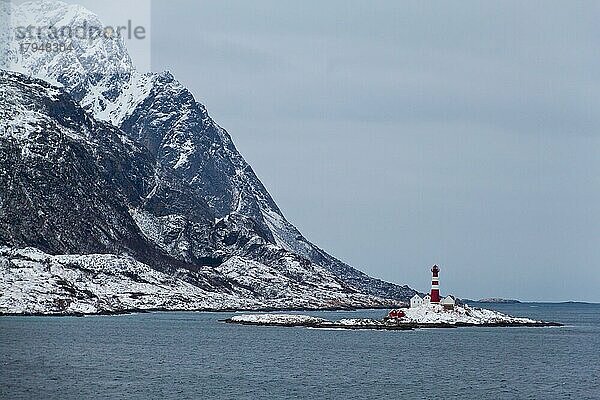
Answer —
193 356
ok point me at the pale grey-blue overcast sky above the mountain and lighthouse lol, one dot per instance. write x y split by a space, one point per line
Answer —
397 134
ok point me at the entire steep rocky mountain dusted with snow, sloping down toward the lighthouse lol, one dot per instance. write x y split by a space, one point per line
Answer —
118 168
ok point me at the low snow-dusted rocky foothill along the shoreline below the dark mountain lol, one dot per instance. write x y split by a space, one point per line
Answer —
34 282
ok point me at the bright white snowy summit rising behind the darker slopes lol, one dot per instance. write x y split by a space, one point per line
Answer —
94 71
